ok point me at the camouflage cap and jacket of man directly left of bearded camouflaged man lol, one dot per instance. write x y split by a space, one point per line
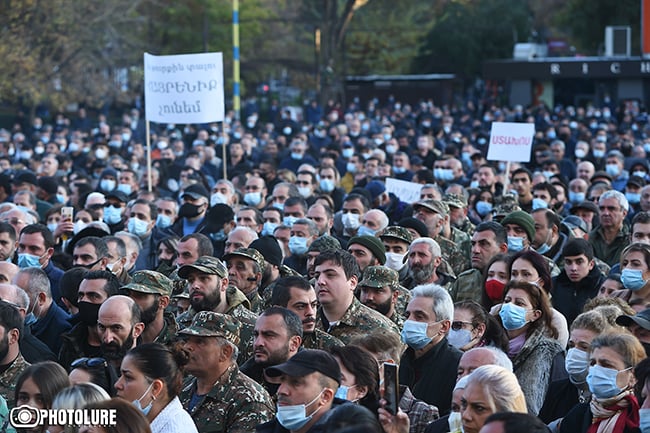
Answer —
155 283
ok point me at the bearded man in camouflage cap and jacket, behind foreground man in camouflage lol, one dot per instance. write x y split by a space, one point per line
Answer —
208 287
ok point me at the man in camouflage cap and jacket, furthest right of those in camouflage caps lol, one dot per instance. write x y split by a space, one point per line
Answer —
435 215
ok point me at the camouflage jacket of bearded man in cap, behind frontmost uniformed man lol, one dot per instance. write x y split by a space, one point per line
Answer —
238 307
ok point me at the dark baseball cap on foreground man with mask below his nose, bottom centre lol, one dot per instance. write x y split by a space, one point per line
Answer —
305 362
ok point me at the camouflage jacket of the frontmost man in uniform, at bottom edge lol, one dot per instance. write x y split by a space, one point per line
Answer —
235 404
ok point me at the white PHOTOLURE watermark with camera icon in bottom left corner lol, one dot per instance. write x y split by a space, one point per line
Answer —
28 417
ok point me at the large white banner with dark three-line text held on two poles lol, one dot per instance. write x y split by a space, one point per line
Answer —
184 88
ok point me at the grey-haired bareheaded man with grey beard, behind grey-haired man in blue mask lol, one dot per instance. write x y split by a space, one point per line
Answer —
424 258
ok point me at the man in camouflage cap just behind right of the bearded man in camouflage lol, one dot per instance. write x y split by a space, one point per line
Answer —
245 269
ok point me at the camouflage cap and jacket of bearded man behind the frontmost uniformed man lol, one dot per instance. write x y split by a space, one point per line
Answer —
238 305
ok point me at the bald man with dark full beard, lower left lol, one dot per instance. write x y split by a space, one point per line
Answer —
118 326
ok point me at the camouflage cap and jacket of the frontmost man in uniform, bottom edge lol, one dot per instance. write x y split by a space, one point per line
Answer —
235 403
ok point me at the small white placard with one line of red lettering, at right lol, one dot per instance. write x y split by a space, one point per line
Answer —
511 141
